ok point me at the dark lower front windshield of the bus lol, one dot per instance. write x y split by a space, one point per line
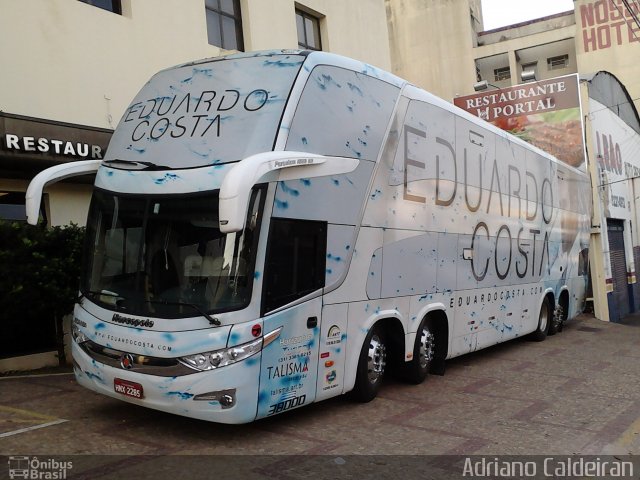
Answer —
164 256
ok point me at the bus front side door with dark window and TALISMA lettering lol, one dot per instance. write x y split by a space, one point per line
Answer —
295 268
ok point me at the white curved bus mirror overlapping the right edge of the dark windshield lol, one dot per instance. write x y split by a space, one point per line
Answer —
236 186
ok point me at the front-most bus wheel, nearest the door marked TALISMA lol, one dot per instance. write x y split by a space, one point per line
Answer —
371 366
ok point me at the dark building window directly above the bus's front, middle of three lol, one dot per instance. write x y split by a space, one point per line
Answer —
224 24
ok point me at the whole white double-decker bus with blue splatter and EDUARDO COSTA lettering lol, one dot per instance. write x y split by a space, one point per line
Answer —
270 230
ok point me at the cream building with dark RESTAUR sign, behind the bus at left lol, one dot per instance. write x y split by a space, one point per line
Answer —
71 67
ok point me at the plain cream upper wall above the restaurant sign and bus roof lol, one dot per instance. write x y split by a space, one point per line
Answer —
69 61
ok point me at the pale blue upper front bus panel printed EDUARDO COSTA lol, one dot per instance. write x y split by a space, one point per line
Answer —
198 115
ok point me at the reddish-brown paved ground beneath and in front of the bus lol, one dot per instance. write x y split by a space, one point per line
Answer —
575 393
